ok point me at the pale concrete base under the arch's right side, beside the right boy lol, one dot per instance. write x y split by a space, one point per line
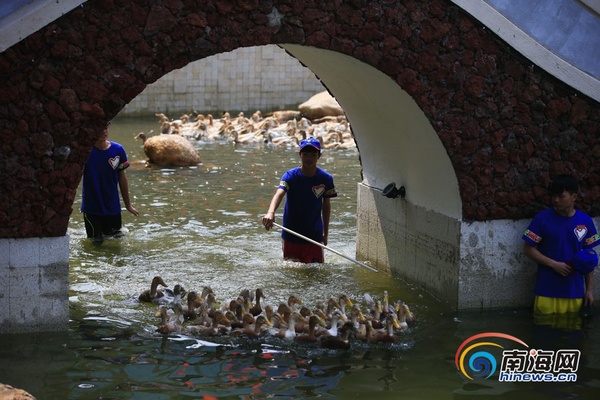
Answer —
469 265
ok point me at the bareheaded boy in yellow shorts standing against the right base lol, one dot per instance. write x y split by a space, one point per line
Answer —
553 239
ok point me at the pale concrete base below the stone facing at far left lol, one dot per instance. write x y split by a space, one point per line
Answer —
34 295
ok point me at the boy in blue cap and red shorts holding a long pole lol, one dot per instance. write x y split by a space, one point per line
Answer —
307 207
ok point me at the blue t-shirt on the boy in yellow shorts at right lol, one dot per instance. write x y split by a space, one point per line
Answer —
560 238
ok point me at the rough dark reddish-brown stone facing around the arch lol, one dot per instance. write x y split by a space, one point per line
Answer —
506 125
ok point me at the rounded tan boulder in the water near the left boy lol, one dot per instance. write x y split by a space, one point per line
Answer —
169 150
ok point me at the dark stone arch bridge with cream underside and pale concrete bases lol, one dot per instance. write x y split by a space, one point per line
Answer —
439 104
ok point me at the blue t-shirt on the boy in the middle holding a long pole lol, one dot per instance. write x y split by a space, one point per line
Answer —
304 203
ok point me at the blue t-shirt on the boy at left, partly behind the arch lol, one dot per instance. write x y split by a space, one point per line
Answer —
100 192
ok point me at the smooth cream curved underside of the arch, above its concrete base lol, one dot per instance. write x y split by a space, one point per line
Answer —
395 139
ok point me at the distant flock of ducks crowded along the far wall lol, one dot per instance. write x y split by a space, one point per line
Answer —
279 128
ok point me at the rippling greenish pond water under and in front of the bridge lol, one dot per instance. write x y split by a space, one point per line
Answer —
201 226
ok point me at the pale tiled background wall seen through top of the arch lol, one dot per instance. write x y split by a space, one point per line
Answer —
262 78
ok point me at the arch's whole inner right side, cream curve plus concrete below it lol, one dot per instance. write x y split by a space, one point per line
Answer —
397 144
